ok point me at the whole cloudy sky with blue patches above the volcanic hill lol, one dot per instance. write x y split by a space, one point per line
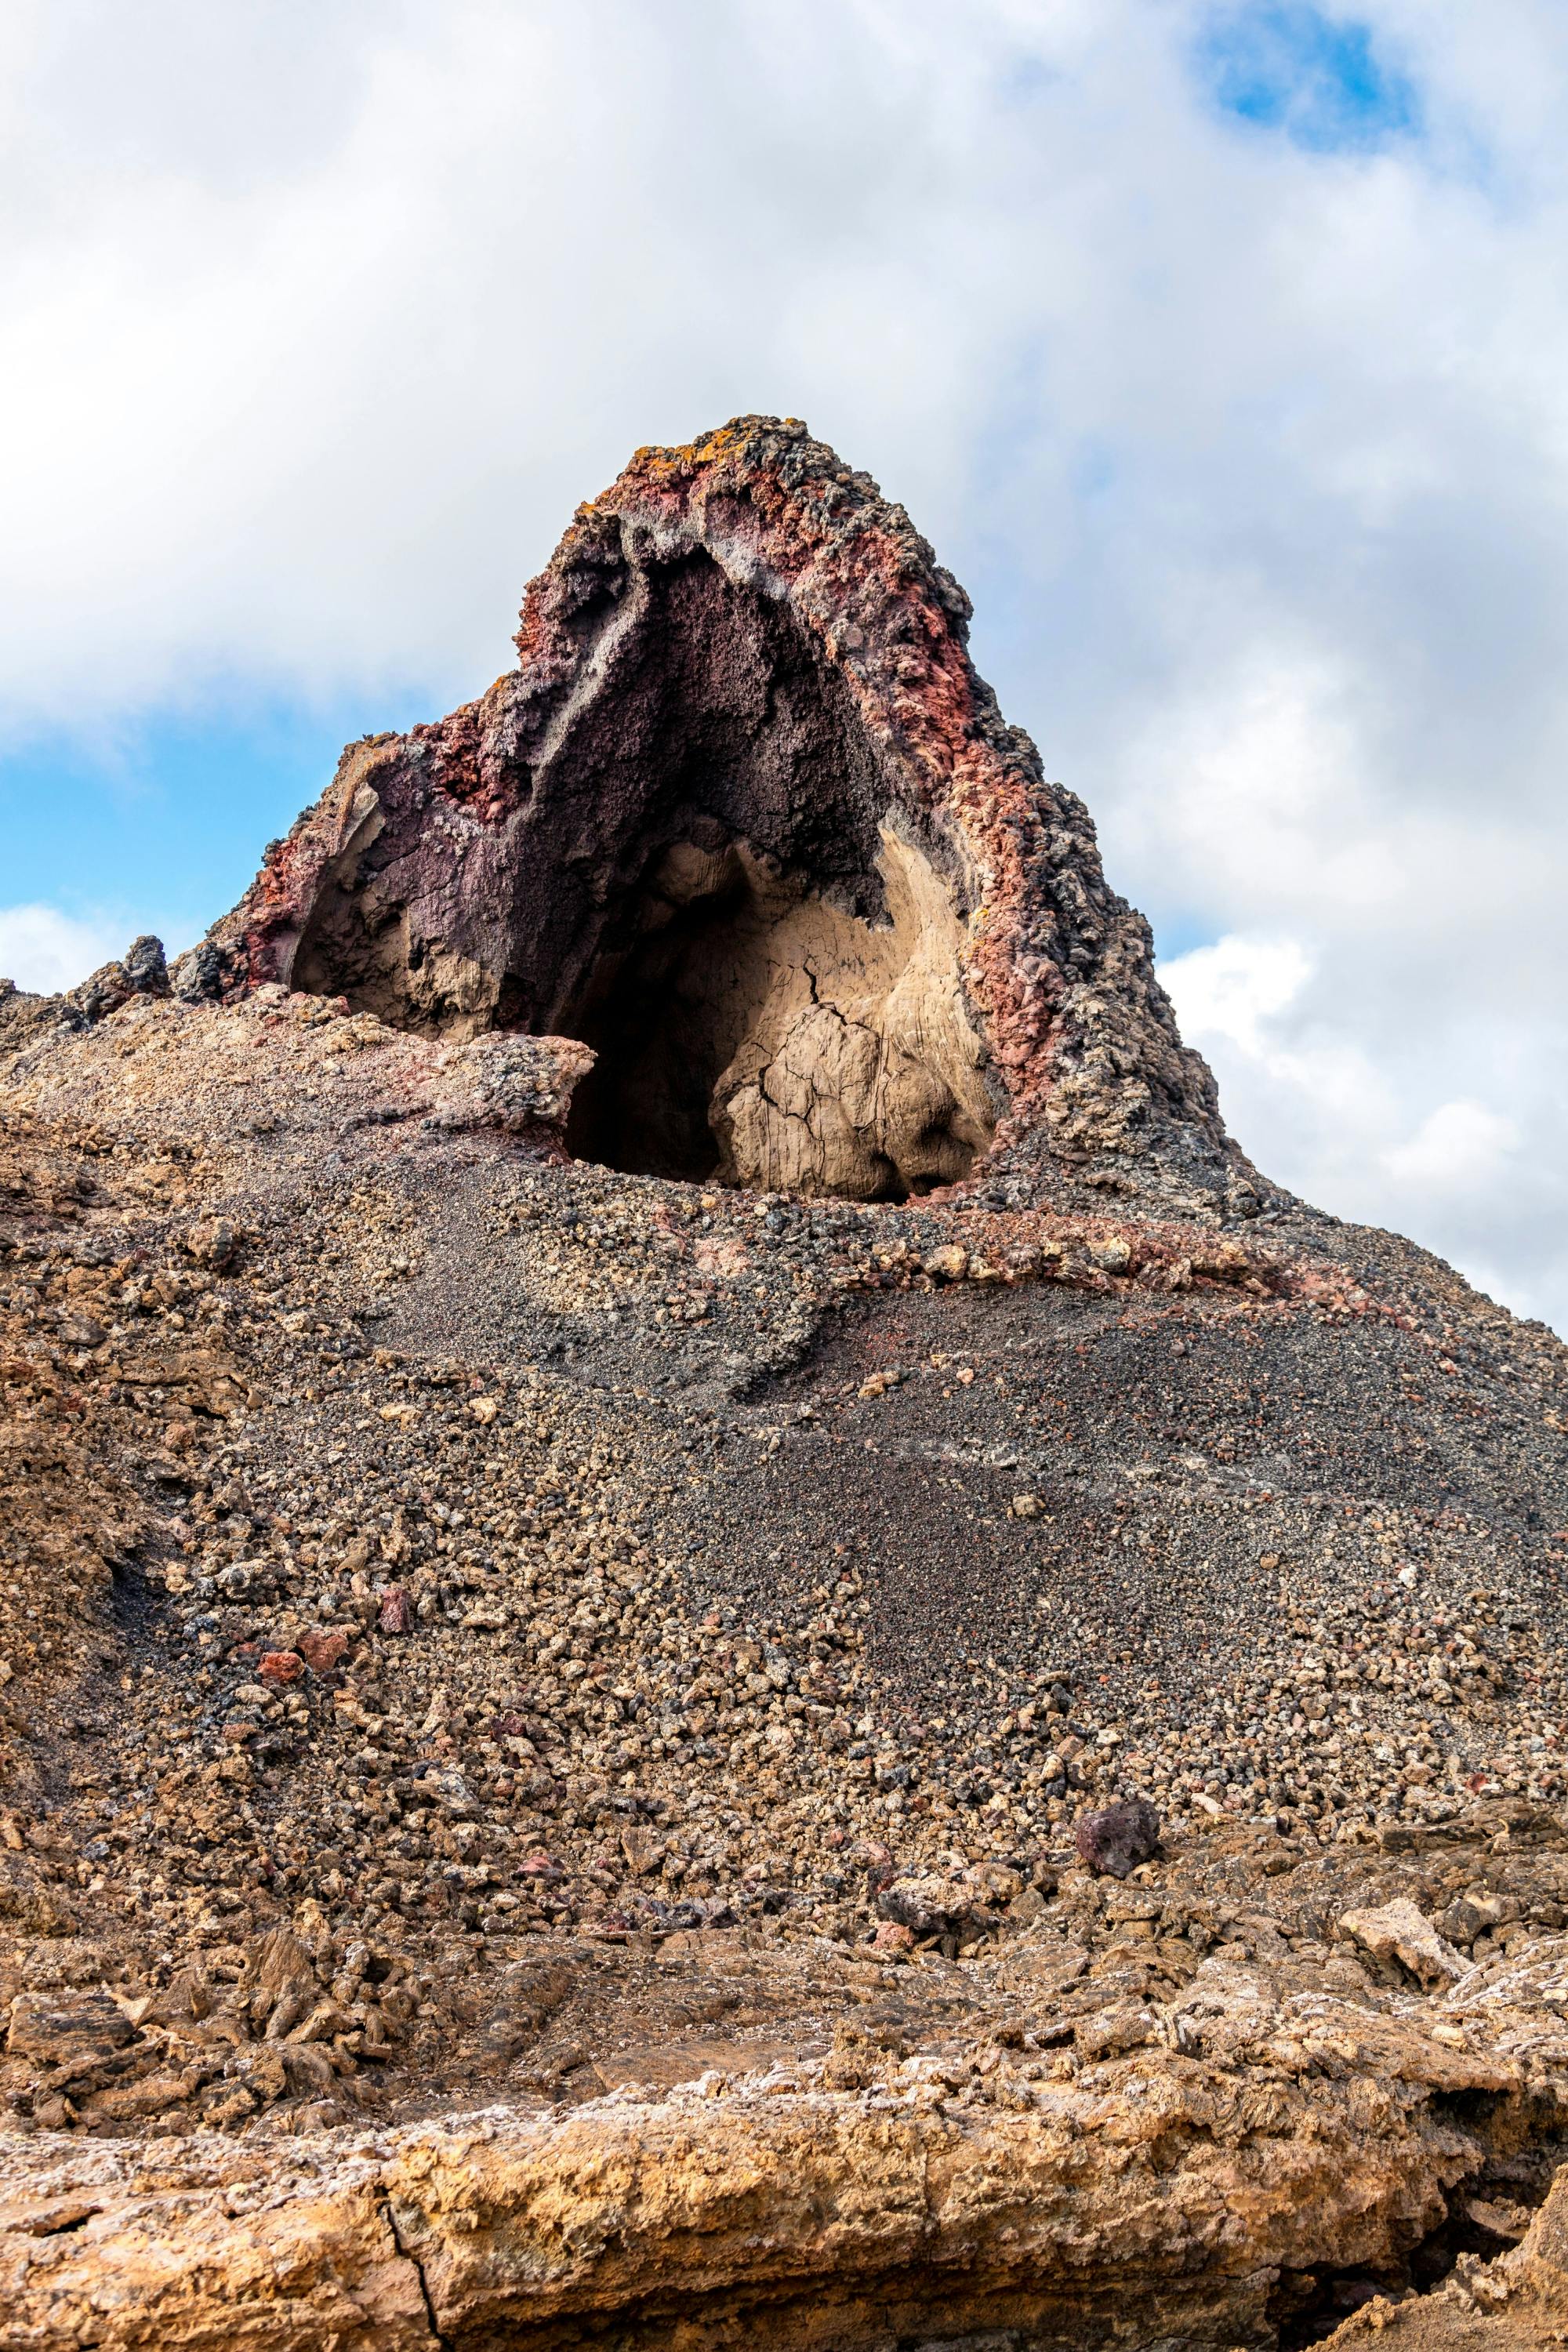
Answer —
1221 349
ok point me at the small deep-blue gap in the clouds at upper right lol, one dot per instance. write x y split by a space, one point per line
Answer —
1311 76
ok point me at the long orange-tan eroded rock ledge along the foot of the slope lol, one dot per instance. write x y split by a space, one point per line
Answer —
1155 2198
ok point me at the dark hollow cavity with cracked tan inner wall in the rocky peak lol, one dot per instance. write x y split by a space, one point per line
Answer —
713 881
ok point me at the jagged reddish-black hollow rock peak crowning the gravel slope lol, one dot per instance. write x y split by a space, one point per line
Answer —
749 824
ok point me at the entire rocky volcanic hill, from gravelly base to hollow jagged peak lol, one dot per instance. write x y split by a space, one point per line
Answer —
589 1509
